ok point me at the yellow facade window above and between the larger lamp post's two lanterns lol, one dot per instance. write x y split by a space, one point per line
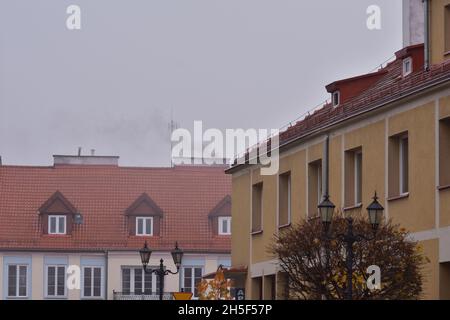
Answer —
353 177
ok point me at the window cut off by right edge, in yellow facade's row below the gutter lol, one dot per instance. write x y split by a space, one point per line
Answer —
444 152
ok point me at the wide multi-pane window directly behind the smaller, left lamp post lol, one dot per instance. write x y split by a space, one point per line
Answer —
136 281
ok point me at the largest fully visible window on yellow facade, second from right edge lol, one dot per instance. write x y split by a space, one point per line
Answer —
398 165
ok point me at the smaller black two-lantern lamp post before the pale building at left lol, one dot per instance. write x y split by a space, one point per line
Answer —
177 255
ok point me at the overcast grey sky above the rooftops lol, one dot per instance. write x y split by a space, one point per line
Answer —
231 63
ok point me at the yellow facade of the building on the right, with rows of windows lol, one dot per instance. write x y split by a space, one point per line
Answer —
400 148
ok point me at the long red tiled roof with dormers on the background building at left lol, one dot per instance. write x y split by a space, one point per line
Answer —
102 194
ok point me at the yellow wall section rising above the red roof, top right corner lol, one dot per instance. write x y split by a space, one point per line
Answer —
437 34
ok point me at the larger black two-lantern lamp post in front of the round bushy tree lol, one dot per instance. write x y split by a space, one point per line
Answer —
375 212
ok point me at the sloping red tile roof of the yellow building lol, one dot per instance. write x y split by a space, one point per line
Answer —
390 87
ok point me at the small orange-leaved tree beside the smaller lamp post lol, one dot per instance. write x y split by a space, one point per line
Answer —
215 289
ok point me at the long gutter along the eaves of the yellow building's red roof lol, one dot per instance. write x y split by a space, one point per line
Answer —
338 123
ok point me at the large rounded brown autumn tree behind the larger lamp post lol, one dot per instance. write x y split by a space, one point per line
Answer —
315 265
